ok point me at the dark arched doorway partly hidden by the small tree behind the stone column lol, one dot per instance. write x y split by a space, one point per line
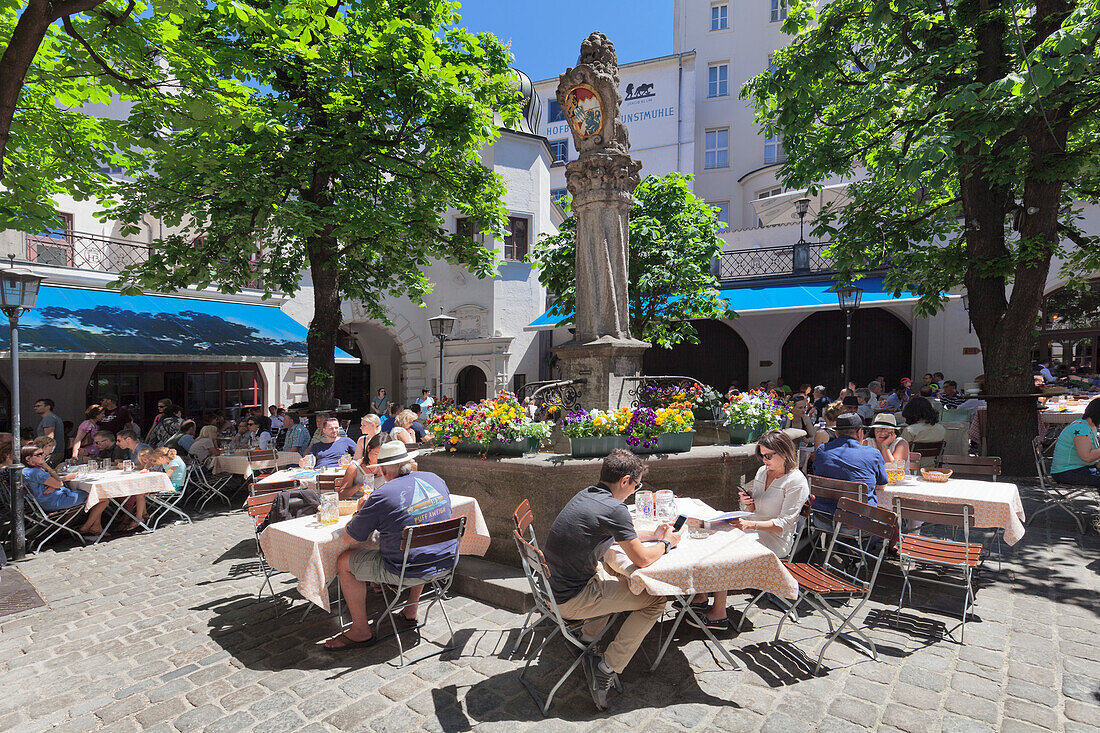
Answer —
719 359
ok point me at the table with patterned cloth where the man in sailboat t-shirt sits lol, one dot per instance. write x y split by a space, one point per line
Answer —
309 550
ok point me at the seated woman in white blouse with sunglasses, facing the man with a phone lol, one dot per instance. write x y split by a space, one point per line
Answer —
779 493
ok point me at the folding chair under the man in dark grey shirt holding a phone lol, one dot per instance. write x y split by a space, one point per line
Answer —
538 576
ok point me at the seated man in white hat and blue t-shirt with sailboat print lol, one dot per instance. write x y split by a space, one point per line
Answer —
408 498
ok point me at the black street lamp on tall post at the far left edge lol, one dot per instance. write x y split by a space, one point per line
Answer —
19 289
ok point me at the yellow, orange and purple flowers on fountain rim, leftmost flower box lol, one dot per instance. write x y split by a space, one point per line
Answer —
500 420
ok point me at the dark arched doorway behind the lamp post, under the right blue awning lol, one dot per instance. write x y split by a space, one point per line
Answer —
882 344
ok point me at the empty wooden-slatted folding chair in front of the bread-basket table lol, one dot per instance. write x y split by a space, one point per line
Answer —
915 551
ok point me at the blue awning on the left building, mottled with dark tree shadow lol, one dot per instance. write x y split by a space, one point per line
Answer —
74 323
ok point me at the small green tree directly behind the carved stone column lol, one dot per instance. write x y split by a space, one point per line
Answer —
674 238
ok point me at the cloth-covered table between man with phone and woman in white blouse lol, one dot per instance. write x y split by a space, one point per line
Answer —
724 561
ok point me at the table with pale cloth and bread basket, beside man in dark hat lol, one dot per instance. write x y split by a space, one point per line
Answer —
996 504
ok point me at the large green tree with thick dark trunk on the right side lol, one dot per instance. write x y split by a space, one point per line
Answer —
976 125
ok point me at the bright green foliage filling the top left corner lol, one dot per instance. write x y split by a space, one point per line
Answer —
62 59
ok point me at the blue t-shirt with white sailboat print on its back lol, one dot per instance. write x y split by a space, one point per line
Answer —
416 499
